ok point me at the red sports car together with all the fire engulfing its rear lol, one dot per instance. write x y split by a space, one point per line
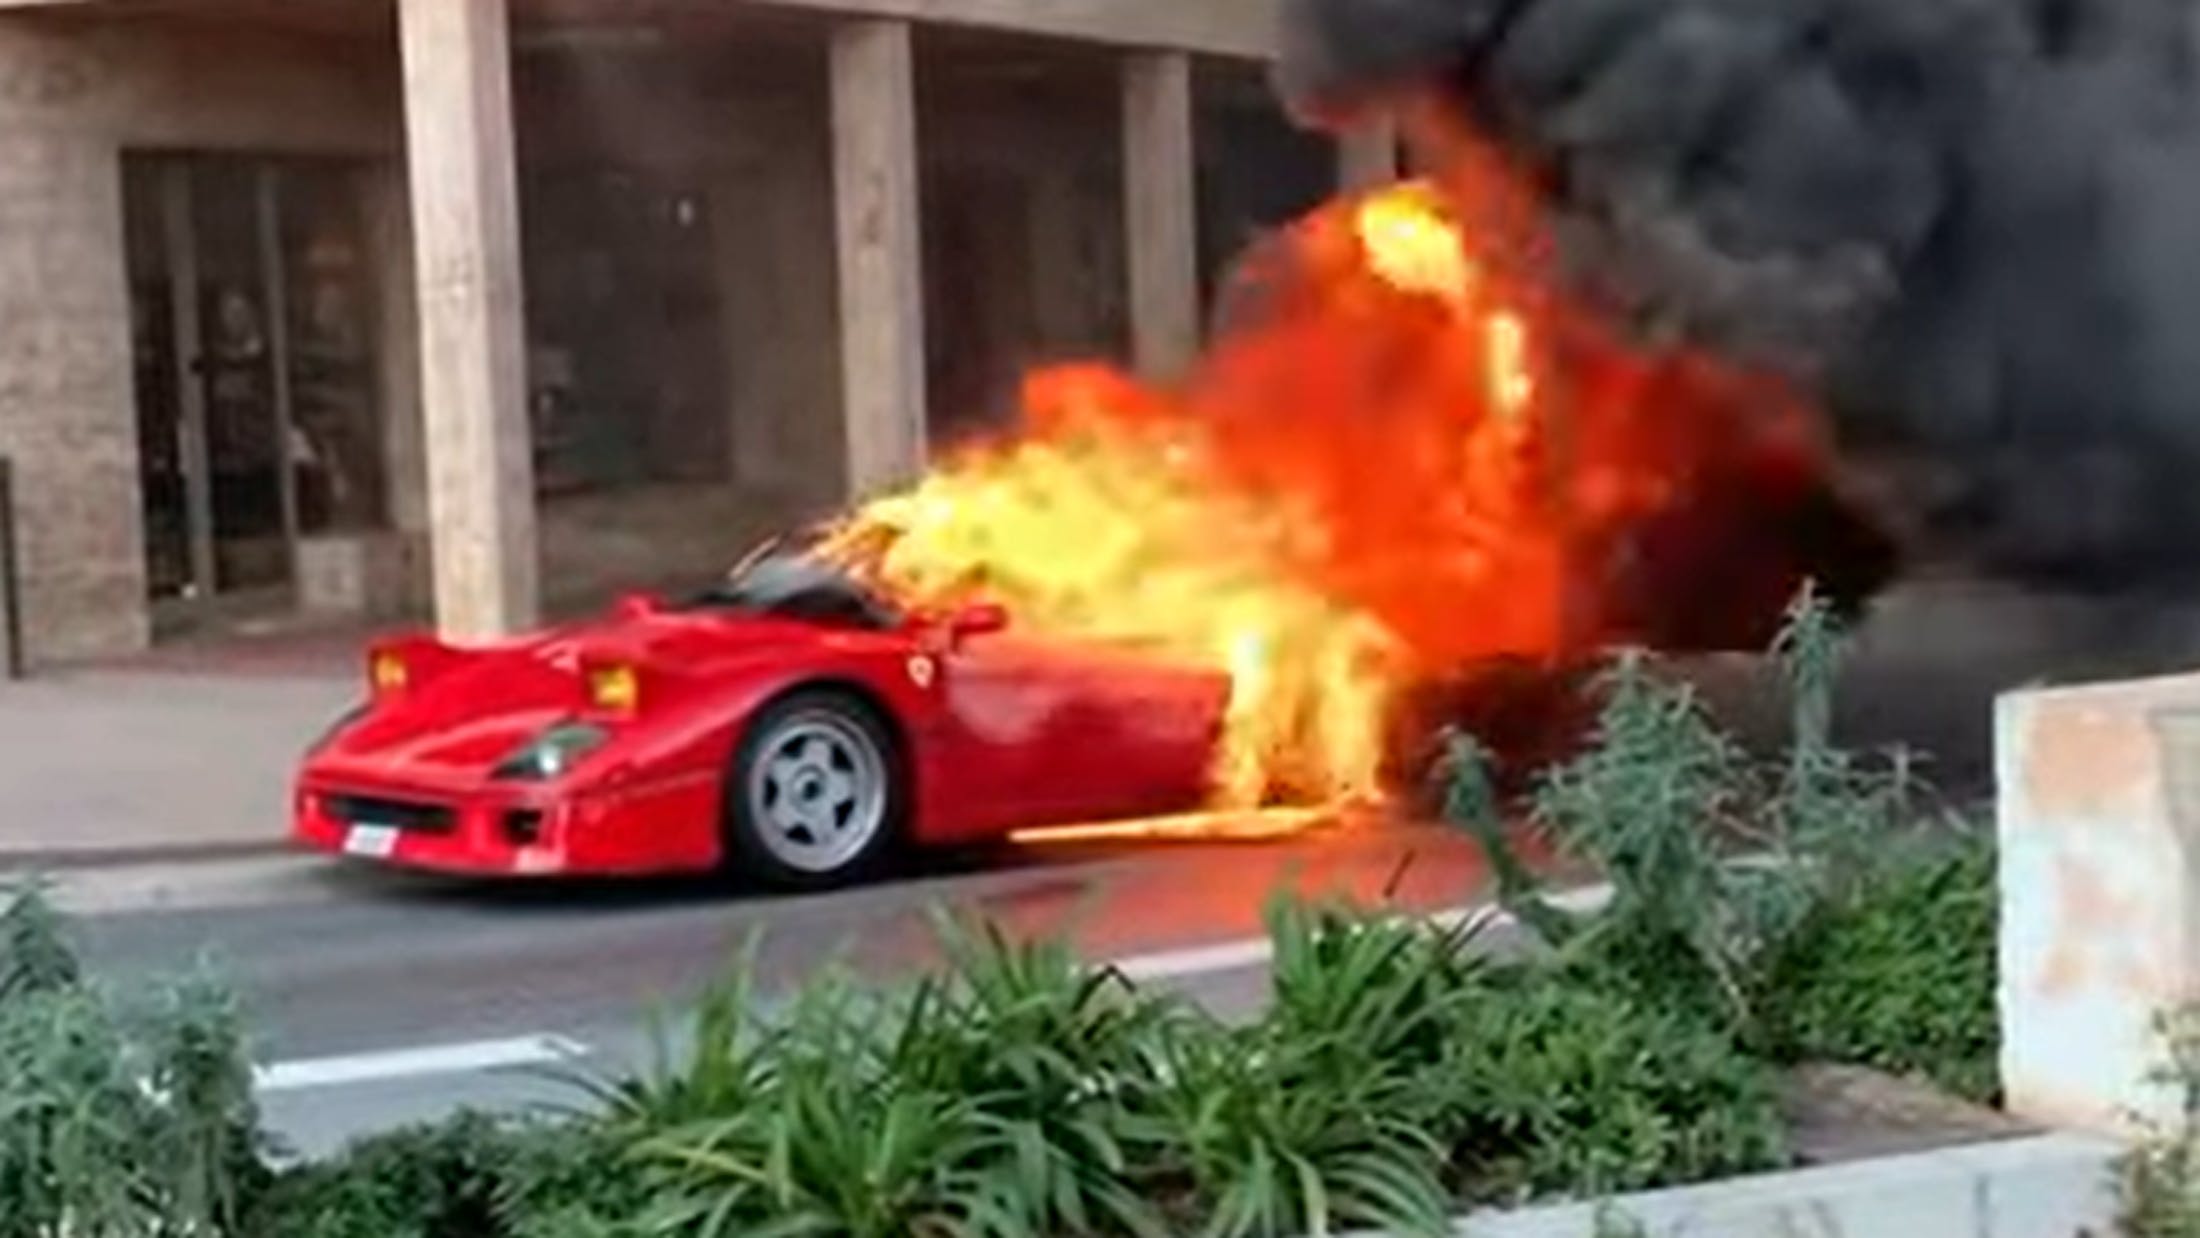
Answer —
1411 476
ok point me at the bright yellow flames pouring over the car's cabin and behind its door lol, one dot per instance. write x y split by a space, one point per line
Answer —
1114 538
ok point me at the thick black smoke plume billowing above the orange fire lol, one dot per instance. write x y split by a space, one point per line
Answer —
1970 225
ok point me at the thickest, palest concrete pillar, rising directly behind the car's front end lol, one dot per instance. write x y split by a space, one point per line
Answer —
465 214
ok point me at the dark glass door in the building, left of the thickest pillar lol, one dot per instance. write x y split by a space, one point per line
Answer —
254 373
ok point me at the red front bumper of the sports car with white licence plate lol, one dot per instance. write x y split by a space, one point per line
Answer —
489 828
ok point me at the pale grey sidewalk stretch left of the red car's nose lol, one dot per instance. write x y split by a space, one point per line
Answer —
170 760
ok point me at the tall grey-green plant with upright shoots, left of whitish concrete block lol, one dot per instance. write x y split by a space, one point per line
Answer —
1660 802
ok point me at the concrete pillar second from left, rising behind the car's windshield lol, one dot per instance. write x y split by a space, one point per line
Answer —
874 142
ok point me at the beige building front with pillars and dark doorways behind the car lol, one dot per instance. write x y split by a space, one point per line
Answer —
483 307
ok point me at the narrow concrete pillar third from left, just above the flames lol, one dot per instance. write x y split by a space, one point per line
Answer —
1160 212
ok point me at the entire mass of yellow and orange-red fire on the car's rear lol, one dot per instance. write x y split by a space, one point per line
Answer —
1409 454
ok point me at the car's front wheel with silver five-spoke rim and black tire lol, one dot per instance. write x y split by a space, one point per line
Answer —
815 795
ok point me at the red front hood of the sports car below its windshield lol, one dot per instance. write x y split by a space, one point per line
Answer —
489 703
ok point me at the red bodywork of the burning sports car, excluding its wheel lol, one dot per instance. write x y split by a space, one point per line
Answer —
991 733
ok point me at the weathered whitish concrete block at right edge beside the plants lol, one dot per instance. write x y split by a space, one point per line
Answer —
2100 889
